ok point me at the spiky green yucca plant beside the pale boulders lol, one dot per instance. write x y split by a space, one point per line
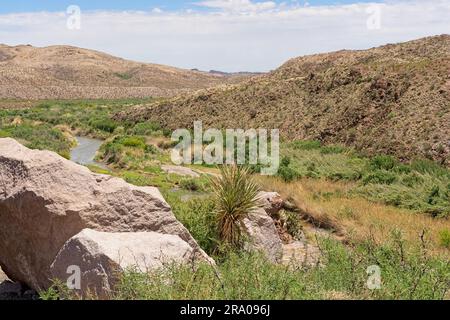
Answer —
236 195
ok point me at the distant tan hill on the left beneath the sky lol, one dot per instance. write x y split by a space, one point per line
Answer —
64 72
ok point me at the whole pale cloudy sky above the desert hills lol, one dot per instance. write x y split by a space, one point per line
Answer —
228 35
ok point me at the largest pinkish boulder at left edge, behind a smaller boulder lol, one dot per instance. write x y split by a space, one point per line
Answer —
45 200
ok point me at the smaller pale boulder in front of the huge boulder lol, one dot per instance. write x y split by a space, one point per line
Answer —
91 261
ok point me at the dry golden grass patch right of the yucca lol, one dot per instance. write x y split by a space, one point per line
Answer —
356 218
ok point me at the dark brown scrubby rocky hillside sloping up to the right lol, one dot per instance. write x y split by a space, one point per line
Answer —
394 99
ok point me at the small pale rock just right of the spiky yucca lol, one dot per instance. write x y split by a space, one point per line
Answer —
260 227
